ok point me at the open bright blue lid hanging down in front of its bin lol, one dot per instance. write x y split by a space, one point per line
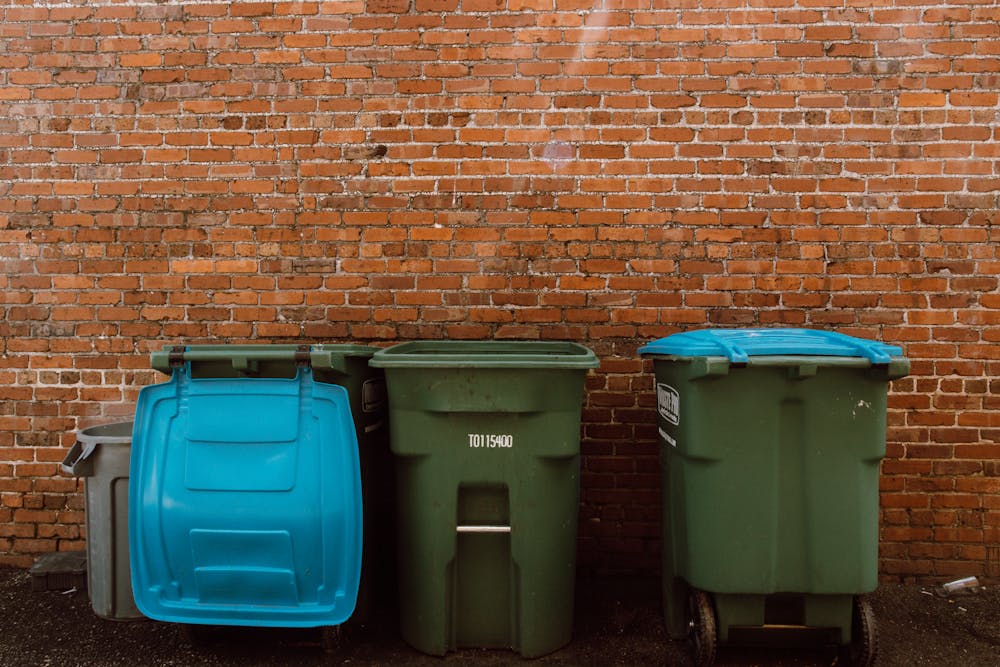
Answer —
245 502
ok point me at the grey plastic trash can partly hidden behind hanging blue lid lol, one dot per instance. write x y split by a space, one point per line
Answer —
101 456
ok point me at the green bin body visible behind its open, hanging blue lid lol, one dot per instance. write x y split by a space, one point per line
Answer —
340 364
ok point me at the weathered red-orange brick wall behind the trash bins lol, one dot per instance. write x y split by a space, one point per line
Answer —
605 171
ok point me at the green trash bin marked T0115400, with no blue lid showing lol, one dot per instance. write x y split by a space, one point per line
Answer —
486 437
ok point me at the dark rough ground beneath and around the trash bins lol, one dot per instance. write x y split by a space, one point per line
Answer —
617 623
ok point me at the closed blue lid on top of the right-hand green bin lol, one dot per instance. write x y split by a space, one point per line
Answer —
738 345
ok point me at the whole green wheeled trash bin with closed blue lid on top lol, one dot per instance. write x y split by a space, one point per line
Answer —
770 443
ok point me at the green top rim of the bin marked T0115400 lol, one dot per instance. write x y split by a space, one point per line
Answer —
485 354
